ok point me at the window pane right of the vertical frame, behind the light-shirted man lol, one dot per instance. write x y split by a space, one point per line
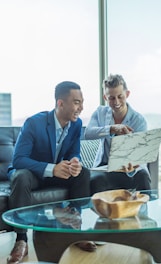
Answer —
134 50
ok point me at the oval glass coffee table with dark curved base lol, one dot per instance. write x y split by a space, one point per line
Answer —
59 224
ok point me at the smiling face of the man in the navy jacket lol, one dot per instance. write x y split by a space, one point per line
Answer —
69 108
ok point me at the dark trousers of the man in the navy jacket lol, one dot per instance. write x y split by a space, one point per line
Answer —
24 181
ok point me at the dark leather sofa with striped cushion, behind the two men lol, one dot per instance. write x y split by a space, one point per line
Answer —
8 136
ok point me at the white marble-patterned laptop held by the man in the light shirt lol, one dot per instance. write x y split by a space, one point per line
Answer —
135 148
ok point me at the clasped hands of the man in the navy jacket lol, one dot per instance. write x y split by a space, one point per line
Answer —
65 169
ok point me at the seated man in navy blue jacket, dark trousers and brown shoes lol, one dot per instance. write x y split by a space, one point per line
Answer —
47 153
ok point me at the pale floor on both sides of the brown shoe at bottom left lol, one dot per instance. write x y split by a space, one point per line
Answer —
7 241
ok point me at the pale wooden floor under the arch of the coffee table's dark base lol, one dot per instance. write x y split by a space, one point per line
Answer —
110 253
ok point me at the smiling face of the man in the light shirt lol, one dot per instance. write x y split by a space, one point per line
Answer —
116 98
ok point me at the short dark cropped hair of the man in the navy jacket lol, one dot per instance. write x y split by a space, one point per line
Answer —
62 89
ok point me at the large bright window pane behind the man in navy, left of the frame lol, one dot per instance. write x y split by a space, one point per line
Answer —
44 42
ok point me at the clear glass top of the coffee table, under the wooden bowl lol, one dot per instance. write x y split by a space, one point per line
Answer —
78 215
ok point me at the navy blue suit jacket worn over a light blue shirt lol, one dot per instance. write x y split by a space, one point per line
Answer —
36 143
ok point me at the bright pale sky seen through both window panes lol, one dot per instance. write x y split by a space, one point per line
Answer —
44 42
